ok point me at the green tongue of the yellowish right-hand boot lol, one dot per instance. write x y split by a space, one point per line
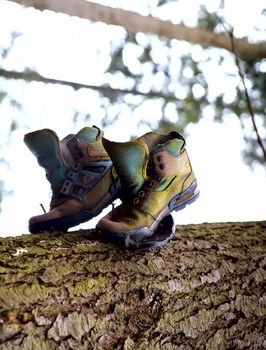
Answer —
130 163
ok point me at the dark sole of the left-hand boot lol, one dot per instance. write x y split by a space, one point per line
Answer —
64 223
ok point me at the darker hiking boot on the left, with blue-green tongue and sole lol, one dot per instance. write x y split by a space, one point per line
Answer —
81 175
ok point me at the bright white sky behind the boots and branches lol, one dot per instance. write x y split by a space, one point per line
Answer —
230 191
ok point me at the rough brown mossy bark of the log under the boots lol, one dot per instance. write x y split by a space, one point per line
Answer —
204 290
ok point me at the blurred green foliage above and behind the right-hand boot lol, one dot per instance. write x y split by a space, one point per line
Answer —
190 78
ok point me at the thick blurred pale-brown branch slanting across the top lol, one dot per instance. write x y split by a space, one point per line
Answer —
135 22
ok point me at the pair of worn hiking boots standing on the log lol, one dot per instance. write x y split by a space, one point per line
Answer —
152 176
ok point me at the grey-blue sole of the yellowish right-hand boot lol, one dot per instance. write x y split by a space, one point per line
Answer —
135 237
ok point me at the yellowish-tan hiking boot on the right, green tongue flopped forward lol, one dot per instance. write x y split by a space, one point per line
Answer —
156 178
